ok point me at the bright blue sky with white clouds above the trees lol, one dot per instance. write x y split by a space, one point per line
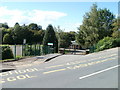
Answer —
67 15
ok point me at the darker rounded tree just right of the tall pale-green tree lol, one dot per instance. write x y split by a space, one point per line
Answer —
105 23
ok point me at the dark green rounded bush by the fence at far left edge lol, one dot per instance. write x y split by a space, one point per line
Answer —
6 53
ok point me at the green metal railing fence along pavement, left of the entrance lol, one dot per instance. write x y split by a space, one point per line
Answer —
30 50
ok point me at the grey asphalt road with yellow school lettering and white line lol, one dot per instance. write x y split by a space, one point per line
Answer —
96 70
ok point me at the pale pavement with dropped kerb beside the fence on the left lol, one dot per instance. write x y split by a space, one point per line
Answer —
26 62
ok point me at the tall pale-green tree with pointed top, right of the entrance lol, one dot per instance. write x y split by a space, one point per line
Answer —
88 31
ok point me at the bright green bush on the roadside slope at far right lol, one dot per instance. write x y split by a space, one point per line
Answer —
106 43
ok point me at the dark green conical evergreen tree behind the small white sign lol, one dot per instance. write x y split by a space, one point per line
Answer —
50 37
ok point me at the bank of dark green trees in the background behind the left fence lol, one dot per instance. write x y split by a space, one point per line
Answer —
19 33
